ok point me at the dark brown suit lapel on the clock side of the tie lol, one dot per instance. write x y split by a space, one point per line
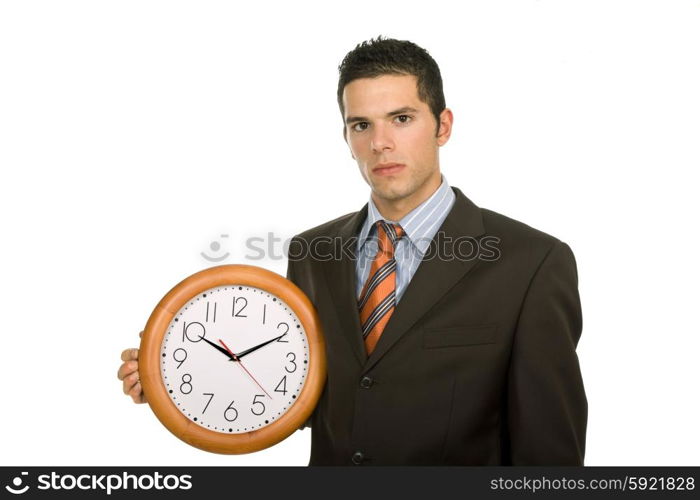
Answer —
341 281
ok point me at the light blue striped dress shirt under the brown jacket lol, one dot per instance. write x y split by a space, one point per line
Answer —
420 224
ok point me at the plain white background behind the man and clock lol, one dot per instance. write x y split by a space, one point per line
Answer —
133 134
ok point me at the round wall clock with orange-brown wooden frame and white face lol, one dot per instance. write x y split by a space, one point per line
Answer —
232 359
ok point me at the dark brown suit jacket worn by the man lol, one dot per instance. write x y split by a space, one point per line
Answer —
477 365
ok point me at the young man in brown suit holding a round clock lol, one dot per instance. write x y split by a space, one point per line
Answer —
436 355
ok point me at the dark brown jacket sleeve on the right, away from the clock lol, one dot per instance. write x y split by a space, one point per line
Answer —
547 406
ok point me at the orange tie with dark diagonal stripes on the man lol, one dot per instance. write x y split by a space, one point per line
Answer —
378 297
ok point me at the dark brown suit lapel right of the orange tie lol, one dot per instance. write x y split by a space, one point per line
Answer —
434 276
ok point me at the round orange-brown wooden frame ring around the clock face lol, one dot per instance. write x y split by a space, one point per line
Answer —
149 360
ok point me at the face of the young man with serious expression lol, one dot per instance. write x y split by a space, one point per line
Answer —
392 136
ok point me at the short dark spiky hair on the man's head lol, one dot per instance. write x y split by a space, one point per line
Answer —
387 56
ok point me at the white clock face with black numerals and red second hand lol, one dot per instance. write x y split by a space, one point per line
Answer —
234 359
